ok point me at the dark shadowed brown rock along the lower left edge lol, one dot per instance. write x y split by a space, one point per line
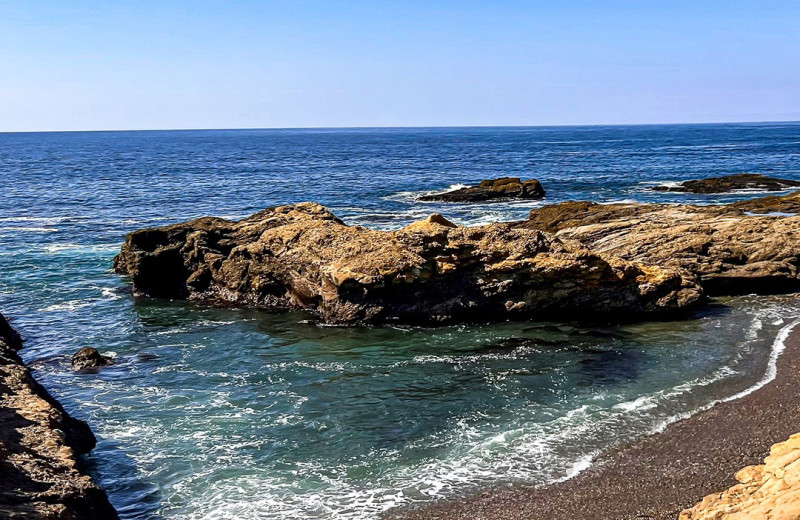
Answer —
39 442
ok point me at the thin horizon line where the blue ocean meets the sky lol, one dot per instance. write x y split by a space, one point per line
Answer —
368 127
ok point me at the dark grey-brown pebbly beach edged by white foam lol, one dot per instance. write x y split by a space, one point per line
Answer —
657 477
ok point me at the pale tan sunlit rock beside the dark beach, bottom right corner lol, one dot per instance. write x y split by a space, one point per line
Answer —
770 491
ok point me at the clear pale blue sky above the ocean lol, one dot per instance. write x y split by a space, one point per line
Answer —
168 64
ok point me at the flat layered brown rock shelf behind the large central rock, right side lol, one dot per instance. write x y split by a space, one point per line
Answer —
747 247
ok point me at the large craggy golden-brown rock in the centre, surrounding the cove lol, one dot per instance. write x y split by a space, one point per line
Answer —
432 271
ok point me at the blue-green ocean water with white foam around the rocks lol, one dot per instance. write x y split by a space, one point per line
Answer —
238 413
